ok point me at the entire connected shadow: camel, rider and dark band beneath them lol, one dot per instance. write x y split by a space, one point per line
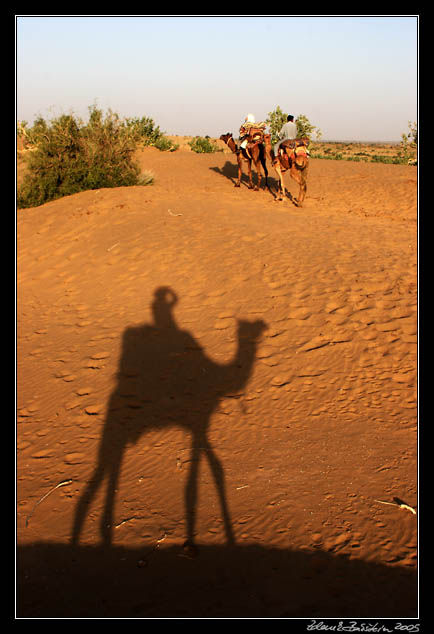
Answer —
166 379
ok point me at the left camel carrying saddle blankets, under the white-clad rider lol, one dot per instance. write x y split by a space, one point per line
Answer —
251 150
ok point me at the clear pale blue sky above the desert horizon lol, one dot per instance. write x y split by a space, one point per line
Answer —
354 77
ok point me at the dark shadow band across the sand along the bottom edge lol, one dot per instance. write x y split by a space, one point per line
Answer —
222 581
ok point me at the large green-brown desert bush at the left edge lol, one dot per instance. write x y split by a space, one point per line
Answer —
69 157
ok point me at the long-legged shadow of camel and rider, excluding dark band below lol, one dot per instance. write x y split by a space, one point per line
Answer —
166 379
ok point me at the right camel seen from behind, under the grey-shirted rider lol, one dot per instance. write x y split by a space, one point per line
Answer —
292 158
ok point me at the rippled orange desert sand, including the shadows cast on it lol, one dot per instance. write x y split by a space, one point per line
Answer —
280 342
